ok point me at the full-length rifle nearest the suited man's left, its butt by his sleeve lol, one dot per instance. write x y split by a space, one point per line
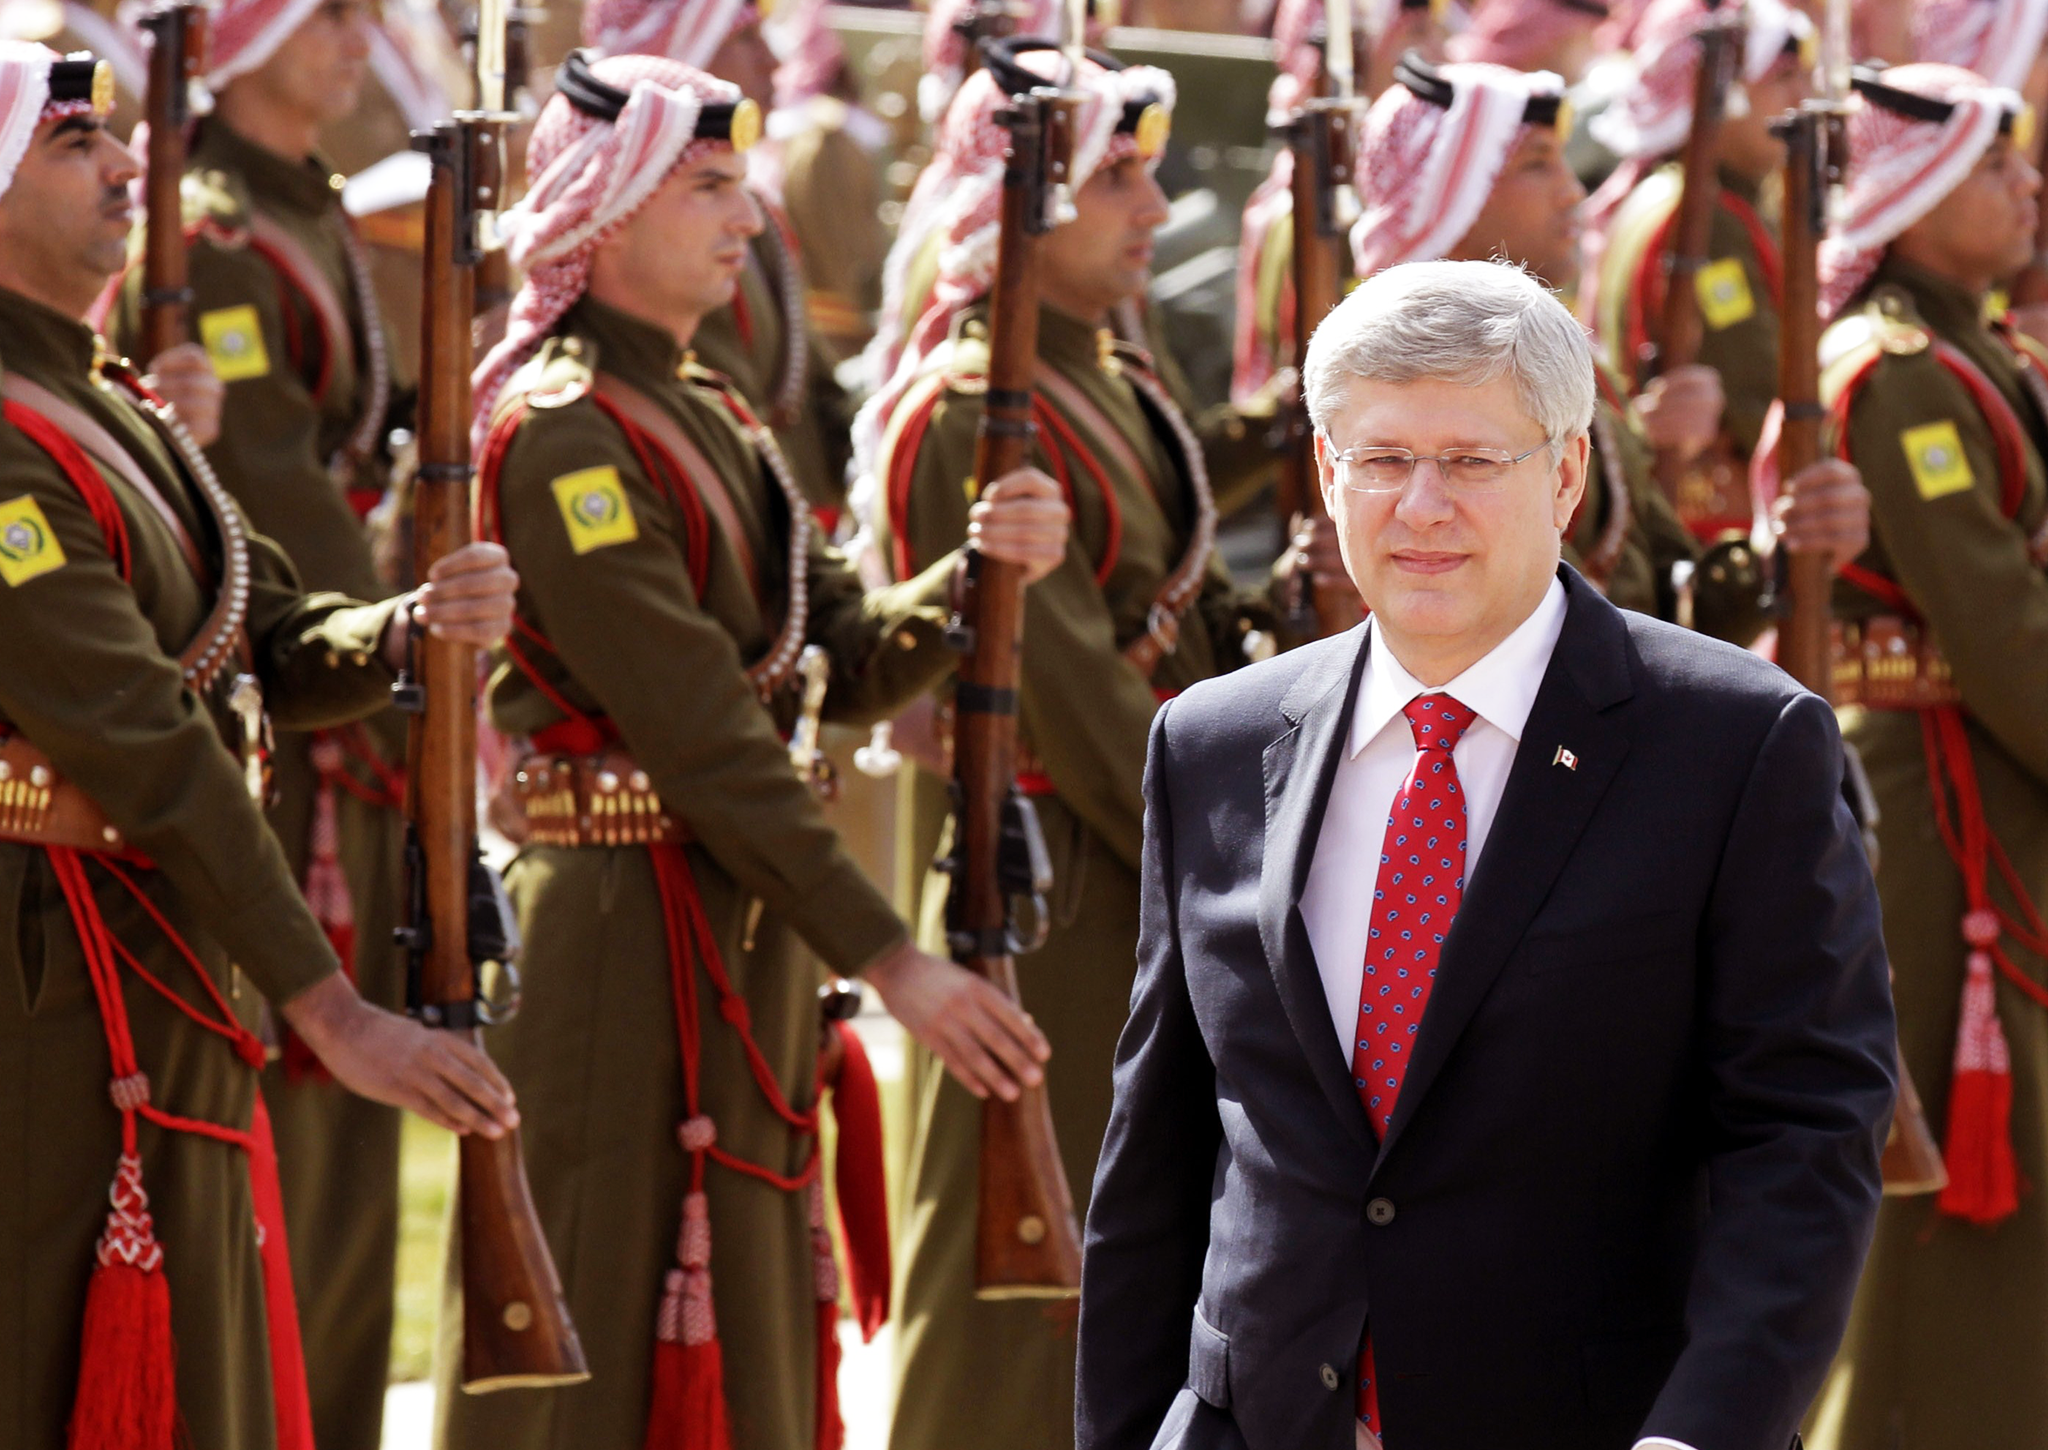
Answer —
1027 1242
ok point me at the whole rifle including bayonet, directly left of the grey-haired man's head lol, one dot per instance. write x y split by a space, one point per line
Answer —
1320 136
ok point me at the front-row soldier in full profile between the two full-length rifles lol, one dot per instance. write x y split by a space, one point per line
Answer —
673 962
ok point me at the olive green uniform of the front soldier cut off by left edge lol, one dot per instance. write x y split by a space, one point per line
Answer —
87 675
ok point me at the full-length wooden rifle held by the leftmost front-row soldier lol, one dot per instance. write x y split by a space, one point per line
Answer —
517 1328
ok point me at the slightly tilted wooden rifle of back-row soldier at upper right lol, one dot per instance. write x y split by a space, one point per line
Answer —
1680 327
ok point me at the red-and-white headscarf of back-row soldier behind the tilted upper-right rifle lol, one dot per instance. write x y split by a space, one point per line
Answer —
1654 114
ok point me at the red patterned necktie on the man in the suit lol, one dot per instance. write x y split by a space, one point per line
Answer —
1414 902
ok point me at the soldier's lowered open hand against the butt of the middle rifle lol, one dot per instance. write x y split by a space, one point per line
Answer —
982 1037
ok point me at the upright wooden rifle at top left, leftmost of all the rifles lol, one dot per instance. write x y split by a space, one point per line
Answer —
177 38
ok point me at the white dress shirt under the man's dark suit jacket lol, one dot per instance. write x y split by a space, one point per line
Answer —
1336 906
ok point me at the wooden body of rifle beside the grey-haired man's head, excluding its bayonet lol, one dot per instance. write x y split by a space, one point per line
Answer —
1320 136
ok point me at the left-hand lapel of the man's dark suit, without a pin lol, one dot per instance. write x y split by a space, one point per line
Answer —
1299 771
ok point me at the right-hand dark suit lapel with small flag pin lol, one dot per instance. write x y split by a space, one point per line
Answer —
1541 818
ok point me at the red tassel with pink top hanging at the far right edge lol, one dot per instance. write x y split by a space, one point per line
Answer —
1983 1179
